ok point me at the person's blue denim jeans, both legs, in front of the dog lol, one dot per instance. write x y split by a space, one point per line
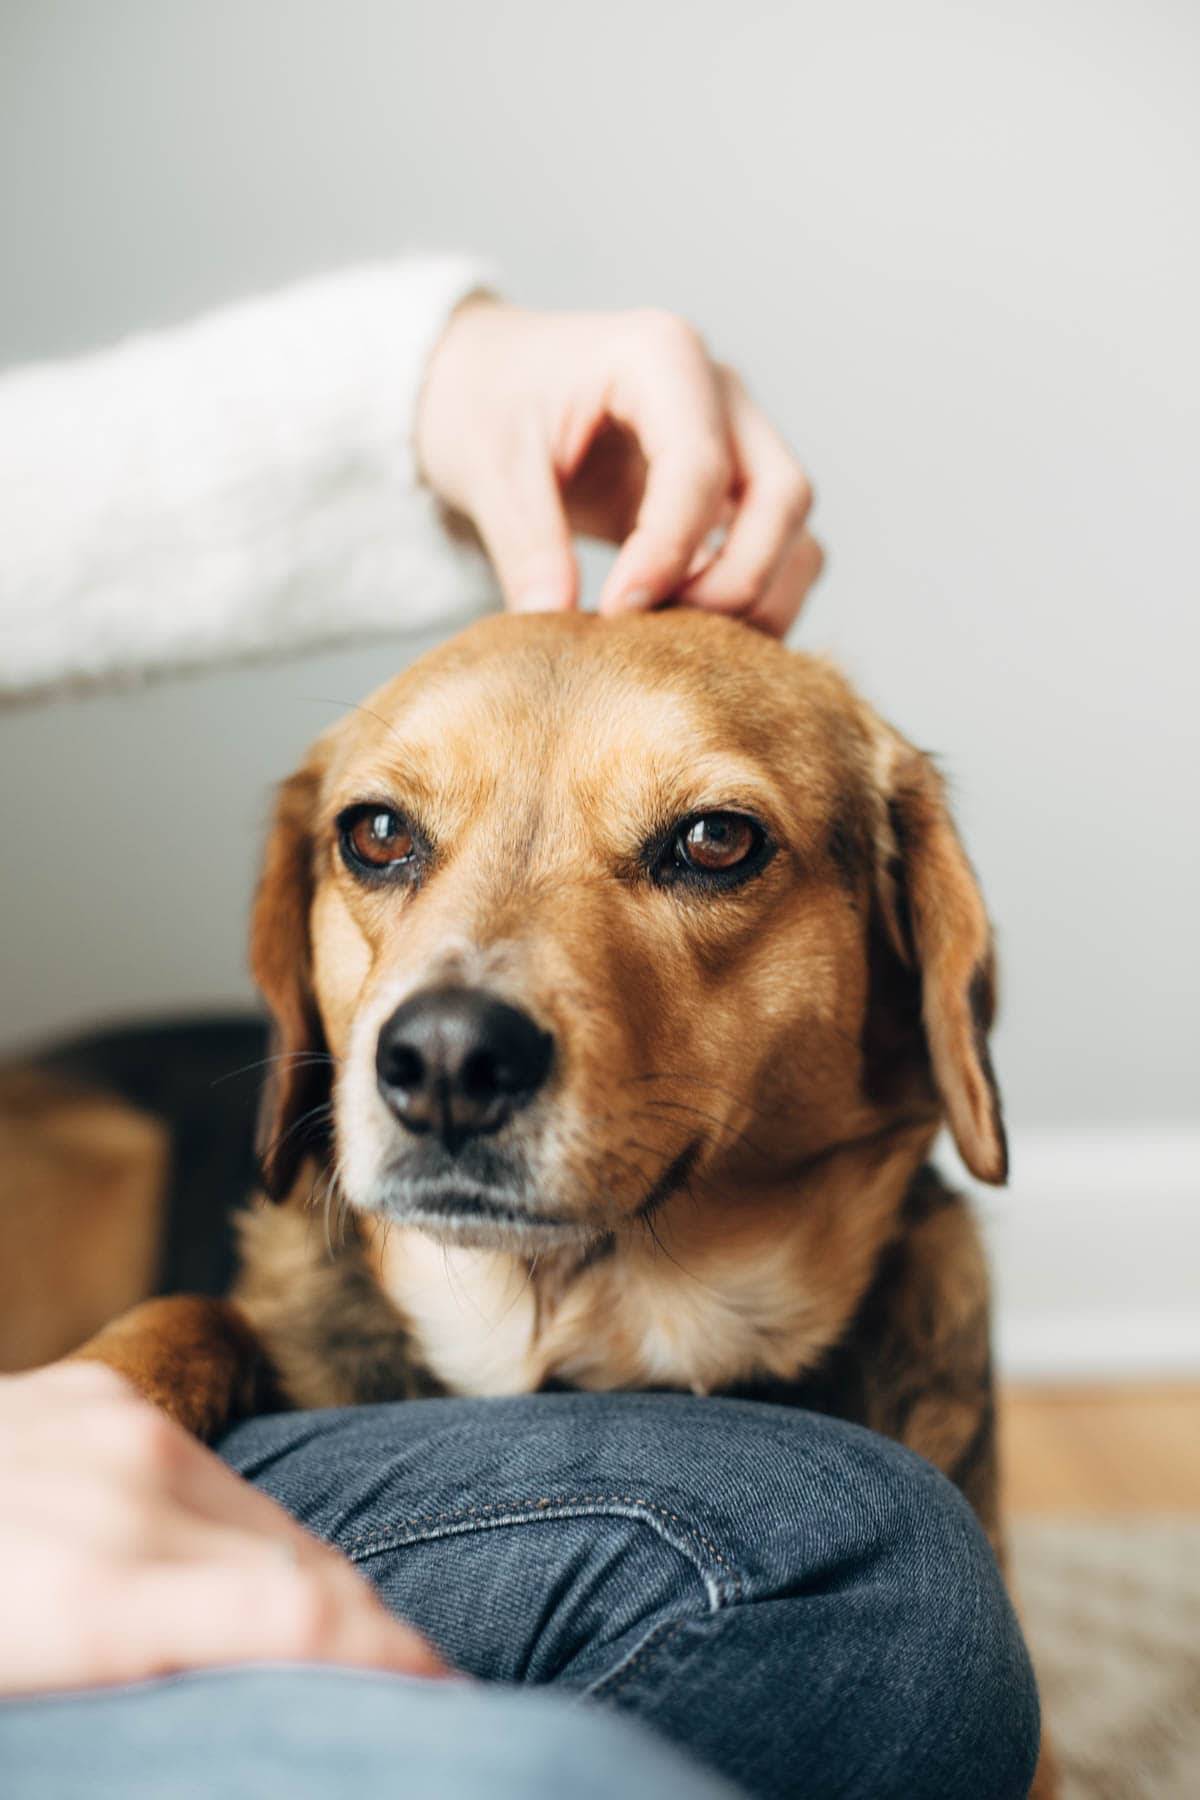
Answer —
798 1605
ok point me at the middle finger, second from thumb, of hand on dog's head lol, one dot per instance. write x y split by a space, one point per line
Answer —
773 507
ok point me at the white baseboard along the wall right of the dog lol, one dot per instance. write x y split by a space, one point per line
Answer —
1097 1255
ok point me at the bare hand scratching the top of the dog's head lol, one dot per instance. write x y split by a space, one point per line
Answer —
618 426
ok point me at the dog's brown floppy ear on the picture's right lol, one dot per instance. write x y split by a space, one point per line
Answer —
938 926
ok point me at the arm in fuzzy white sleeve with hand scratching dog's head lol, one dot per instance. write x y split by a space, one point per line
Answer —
273 478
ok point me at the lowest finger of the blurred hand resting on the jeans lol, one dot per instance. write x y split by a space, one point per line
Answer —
201 1615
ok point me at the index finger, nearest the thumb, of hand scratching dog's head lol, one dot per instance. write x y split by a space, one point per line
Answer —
672 402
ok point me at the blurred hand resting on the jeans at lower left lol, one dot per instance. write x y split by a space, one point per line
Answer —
130 1551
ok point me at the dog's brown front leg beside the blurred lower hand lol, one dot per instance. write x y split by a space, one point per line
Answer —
197 1360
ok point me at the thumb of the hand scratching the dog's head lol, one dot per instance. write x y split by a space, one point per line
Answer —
521 517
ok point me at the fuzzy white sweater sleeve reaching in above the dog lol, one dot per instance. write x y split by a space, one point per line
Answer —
231 489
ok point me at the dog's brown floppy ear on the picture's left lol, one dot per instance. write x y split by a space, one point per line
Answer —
292 1111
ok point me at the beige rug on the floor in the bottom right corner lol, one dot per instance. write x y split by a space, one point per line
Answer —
1113 1617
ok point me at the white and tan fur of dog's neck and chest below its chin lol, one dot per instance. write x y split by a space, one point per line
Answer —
755 1297
